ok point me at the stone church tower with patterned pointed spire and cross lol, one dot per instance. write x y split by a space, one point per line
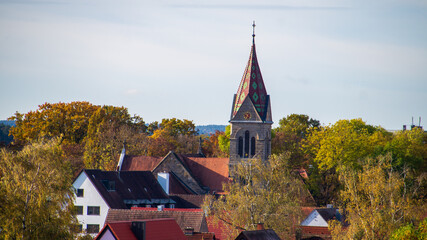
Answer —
250 120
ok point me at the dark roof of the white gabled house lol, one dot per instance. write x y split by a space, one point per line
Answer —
131 188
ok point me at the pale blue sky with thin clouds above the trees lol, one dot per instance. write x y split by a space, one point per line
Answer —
330 59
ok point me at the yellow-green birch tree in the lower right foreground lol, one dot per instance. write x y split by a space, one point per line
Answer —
376 200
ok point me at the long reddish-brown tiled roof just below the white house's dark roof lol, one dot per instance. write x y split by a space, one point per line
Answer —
192 218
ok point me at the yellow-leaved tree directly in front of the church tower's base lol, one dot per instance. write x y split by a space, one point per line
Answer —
261 192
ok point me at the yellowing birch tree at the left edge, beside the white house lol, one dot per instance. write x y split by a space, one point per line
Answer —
37 195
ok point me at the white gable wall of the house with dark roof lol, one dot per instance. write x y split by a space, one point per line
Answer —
91 197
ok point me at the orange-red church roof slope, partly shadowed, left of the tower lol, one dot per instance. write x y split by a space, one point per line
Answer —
211 172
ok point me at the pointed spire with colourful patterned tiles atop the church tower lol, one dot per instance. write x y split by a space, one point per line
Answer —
252 85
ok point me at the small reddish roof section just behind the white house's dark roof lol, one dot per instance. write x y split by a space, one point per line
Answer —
140 163
